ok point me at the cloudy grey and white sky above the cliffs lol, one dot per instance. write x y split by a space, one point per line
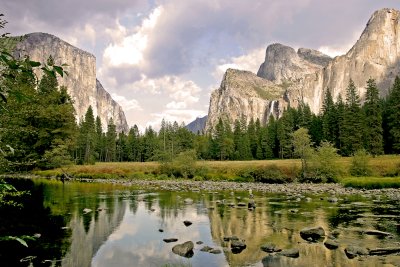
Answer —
163 58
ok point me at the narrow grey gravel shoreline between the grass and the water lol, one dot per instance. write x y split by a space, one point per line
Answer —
291 188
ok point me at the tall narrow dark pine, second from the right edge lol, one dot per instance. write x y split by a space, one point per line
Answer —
373 120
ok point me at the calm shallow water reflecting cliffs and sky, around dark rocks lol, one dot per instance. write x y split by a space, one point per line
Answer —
123 227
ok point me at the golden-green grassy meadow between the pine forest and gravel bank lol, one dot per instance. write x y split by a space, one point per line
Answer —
384 171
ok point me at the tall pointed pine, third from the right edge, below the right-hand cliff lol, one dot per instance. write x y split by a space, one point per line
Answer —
353 124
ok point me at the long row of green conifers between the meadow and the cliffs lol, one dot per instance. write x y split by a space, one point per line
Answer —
346 124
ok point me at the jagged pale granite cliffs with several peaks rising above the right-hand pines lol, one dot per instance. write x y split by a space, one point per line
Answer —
304 76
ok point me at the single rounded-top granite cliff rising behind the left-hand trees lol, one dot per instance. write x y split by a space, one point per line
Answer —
81 82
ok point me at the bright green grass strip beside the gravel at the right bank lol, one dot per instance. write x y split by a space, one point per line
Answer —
371 182
